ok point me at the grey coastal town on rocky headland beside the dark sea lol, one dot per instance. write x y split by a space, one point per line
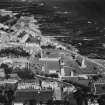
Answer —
37 69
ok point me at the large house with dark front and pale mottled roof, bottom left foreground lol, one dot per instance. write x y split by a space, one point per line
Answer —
30 91
